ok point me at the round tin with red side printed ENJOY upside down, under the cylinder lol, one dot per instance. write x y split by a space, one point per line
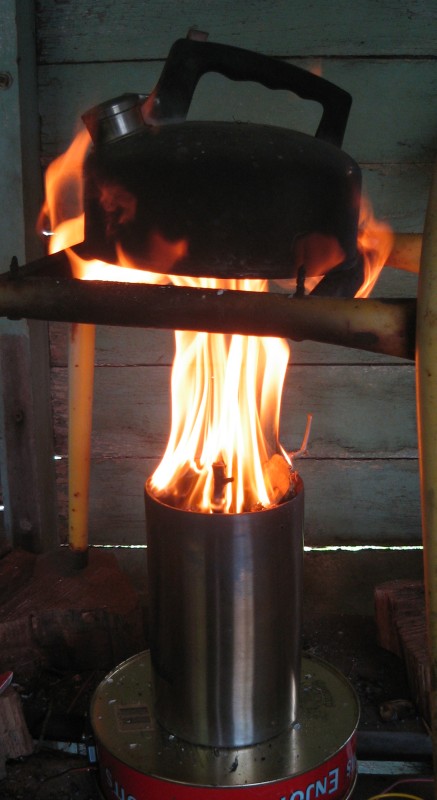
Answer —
139 760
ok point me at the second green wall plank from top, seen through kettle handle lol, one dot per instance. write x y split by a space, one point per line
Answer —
392 118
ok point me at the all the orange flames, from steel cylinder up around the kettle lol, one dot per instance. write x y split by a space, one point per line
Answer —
223 453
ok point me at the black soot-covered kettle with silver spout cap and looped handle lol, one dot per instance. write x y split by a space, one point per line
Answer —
223 199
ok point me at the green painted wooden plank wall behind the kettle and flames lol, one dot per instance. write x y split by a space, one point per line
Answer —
361 476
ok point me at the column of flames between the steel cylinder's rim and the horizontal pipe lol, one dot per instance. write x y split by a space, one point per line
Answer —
226 394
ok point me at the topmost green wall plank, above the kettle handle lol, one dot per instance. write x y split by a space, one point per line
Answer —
77 30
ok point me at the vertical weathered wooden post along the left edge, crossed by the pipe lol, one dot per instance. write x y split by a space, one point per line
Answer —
26 462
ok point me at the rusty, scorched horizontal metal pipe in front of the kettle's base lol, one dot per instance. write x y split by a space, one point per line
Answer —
380 326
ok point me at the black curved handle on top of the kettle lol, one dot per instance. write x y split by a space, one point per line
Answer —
189 59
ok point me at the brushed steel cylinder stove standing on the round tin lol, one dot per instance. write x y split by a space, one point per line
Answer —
225 598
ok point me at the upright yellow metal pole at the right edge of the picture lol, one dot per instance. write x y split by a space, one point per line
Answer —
426 367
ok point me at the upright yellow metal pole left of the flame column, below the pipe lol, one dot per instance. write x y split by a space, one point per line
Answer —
80 408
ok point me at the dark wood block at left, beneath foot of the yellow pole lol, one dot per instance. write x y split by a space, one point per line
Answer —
54 615
